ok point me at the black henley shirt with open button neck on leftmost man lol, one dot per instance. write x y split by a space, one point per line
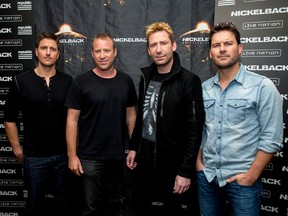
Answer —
44 113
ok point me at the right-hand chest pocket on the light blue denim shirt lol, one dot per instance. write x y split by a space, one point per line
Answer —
236 110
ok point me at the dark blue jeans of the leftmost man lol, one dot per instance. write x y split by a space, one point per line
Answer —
39 171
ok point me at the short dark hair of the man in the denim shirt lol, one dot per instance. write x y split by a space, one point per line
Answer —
225 26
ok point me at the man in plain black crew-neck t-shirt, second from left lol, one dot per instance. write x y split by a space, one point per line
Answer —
101 113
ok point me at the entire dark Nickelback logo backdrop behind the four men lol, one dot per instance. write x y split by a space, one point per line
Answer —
261 22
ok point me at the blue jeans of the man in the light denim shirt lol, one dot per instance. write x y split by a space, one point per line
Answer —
243 200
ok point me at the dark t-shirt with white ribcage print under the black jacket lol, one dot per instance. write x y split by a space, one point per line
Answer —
150 106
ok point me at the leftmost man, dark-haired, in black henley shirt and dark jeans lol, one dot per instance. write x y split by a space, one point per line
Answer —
40 95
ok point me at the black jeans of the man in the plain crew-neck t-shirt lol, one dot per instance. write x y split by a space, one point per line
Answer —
102 187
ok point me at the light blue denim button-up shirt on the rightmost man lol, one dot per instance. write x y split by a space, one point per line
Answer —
240 120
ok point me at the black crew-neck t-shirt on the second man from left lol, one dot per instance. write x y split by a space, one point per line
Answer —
102 121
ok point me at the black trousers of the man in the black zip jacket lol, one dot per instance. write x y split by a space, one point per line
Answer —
153 192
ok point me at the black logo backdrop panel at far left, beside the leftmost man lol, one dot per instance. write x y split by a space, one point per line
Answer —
16 55
